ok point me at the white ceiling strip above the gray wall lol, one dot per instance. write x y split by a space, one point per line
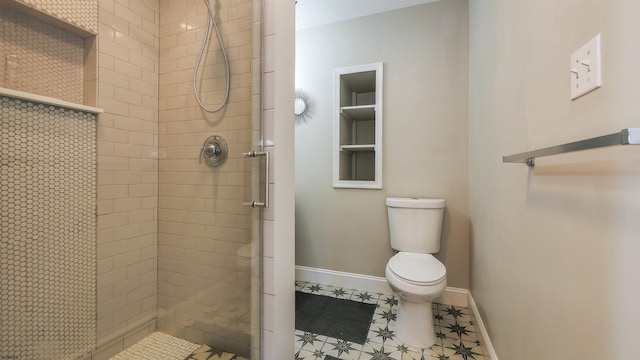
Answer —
312 13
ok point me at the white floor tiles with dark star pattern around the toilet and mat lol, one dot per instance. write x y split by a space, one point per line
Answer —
457 338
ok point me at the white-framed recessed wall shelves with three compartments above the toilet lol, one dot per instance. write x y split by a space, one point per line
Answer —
357 127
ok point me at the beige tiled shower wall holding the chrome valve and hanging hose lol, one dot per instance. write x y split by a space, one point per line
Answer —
204 256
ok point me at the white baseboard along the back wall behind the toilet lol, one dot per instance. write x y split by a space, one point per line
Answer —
451 296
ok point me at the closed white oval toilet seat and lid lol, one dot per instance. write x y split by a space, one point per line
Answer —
417 269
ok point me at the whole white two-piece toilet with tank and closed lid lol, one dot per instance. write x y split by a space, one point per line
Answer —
415 275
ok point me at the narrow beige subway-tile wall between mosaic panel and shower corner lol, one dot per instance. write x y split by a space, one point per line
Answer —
127 172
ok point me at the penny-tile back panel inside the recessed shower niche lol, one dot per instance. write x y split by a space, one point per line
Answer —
39 58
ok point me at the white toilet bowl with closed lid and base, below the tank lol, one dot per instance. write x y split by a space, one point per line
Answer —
417 280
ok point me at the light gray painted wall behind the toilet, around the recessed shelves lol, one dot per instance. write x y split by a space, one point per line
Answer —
425 55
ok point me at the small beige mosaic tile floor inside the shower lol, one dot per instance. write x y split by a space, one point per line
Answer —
158 346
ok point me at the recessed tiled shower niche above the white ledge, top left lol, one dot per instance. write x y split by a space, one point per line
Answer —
49 49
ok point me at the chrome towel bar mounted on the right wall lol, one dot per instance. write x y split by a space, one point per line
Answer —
629 136
